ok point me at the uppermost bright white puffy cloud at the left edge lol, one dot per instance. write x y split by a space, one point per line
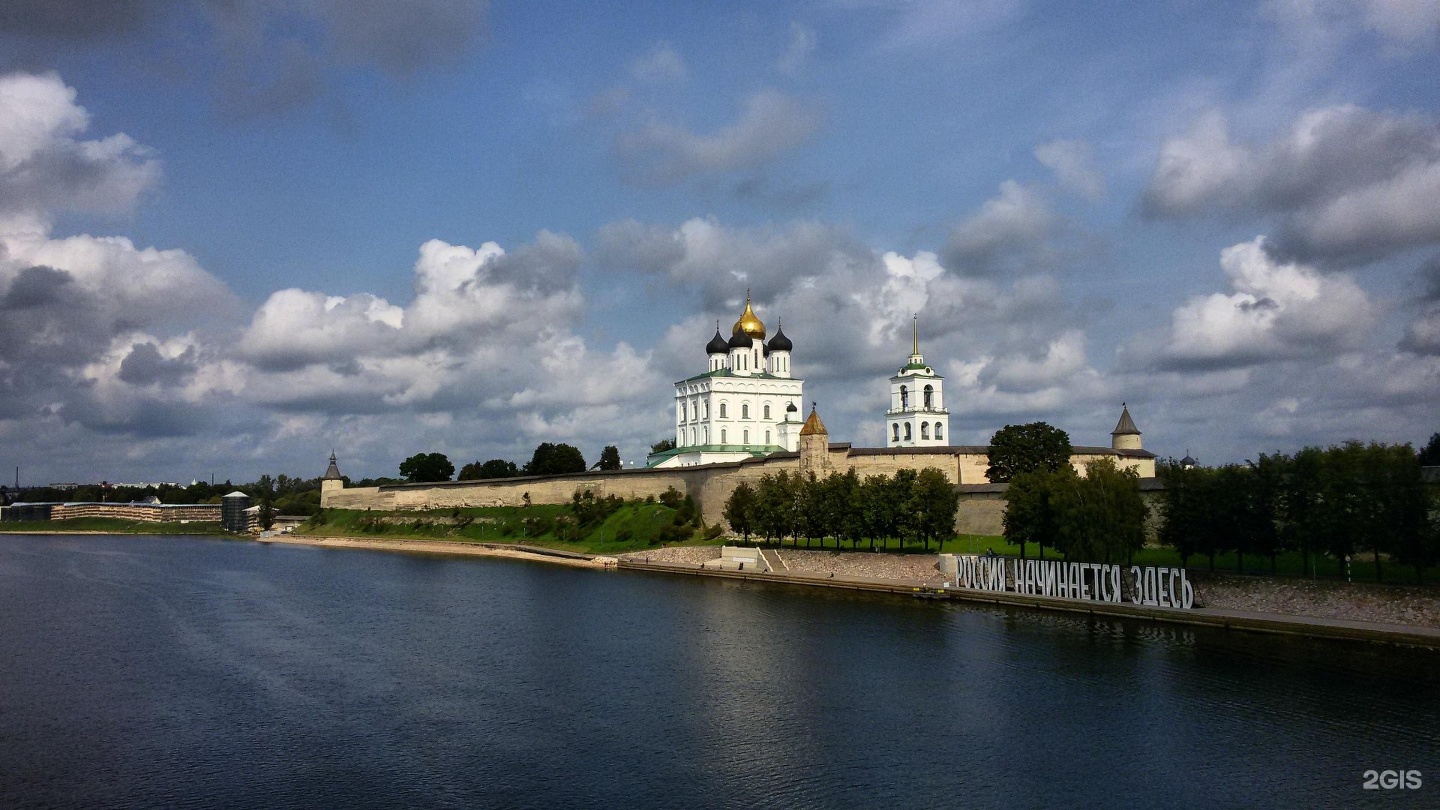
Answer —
44 165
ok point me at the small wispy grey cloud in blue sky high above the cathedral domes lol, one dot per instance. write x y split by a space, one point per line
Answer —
770 125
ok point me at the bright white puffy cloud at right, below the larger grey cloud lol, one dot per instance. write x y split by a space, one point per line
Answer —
1278 311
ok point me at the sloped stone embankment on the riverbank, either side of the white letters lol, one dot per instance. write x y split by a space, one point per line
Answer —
1318 599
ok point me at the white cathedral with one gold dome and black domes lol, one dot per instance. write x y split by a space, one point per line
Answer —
745 406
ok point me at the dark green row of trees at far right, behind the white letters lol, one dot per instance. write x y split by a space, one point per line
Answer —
1338 502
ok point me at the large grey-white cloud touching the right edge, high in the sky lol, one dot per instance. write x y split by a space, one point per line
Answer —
1346 184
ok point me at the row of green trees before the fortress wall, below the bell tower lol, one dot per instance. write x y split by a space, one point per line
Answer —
908 507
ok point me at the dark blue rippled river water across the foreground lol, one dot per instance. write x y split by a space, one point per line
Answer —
202 672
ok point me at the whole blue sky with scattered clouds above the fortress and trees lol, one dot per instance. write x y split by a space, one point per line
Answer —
240 234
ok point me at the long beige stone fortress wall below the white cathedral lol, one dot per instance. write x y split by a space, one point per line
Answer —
711 485
